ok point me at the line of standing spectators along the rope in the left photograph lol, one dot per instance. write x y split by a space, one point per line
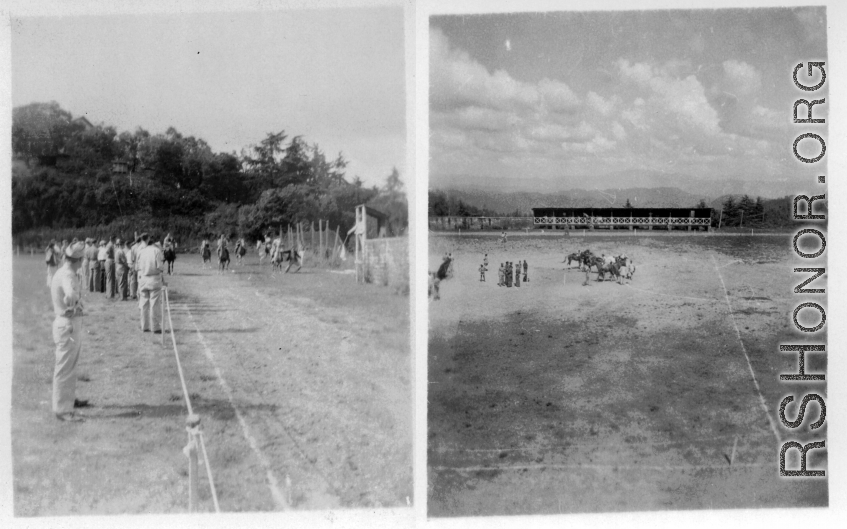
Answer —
130 270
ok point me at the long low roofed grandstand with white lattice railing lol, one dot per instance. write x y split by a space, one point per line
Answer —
628 218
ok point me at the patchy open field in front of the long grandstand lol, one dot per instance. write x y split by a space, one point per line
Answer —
556 398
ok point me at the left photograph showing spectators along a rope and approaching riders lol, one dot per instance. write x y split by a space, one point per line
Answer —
210 263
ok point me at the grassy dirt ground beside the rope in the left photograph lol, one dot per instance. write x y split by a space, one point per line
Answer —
302 381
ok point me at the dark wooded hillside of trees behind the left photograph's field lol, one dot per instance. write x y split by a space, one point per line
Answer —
69 177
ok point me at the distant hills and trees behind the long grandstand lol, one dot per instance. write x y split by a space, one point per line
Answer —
729 211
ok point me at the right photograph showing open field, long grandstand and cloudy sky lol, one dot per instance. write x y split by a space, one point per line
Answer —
613 319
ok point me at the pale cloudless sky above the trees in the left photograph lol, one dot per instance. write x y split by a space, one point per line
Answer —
335 76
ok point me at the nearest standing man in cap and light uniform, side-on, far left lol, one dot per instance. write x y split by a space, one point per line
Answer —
65 292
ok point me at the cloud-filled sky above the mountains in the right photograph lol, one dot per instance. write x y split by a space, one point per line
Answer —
684 94
